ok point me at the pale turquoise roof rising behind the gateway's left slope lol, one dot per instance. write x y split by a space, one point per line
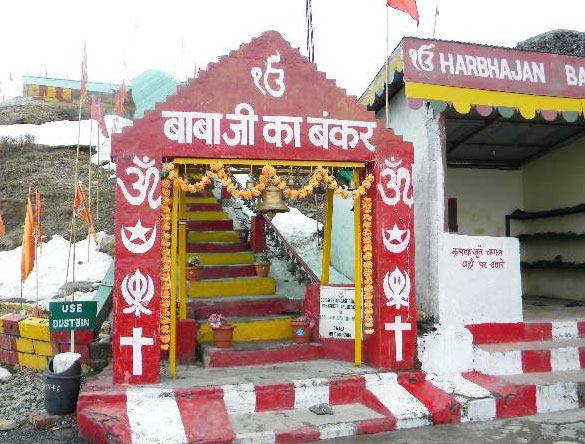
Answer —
151 87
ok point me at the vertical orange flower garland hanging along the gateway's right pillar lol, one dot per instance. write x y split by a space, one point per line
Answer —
367 265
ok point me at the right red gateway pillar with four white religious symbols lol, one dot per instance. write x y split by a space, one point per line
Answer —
393 343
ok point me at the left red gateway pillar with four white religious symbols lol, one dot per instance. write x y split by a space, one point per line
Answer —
136 348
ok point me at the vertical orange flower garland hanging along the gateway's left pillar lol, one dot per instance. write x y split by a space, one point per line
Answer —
165 265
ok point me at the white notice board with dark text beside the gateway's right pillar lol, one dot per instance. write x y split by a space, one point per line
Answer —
337 313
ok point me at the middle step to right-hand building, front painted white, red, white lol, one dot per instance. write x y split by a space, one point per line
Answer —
528 357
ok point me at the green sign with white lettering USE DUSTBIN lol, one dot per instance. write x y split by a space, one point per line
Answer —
66 316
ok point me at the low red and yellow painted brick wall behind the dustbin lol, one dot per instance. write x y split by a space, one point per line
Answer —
26 341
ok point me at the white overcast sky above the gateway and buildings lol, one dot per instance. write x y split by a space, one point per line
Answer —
127 37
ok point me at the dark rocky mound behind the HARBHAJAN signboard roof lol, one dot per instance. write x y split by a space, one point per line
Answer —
559 41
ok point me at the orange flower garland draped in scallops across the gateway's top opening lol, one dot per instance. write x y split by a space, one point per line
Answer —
269 175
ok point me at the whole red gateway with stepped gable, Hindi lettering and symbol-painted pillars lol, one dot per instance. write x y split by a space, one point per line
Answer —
263 103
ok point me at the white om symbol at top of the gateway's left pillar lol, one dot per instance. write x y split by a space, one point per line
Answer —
146 182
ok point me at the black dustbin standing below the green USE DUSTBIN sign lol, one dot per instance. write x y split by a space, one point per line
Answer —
62 389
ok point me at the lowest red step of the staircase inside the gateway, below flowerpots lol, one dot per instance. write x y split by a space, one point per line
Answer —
260 352
